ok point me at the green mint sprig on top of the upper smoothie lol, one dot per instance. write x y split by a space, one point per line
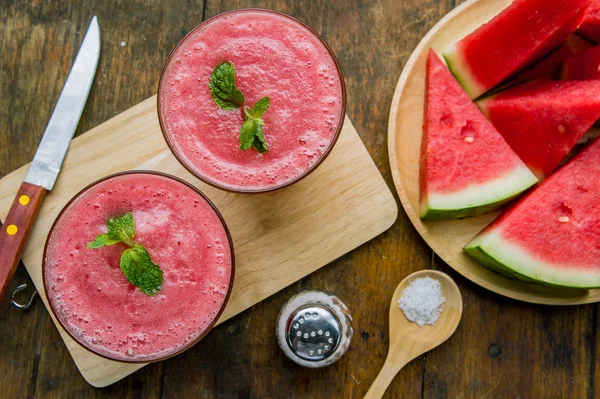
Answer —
227 96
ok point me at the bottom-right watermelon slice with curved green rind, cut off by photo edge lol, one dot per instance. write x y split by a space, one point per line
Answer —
552 236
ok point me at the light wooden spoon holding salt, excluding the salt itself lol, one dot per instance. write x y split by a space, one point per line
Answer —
407 339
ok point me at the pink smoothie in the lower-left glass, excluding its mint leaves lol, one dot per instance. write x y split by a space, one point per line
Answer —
92 297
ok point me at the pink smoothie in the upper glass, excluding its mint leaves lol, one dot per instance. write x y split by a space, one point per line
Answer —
273 55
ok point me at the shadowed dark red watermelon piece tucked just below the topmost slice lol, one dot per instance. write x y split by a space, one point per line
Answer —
550 67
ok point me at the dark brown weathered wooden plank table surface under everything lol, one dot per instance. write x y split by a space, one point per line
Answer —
502 348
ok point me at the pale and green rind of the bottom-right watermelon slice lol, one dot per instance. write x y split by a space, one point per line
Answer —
506 258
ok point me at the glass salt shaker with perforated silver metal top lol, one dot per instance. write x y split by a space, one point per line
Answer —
314 329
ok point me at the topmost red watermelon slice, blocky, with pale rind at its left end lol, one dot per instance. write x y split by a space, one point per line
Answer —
521 34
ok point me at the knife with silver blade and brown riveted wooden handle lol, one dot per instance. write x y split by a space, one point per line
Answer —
49 156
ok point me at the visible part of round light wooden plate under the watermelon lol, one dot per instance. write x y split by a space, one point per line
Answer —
448 237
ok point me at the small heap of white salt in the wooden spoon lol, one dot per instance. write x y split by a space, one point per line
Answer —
422 301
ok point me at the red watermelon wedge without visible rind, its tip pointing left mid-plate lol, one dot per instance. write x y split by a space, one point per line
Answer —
543 120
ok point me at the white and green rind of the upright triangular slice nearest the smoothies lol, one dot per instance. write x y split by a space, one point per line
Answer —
480 198
